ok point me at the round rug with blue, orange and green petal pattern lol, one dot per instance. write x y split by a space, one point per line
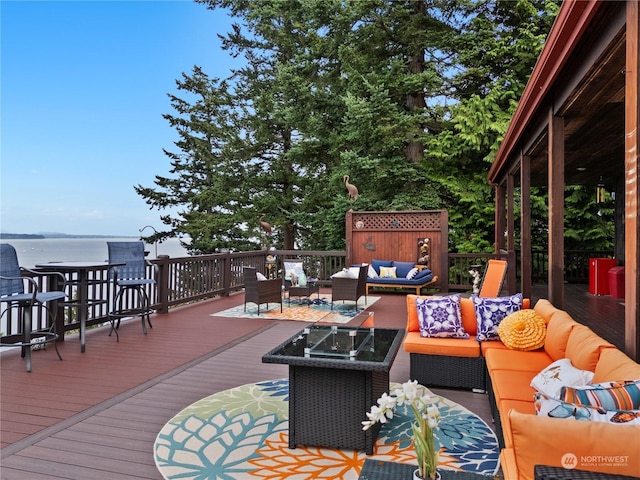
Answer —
242 433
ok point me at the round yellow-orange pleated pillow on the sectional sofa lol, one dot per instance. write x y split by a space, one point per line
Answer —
523 330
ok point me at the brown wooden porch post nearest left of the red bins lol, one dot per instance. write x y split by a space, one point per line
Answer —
556 209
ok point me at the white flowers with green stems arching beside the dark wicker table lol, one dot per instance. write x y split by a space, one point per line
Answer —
427 418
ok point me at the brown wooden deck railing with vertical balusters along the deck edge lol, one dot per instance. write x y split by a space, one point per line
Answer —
195 278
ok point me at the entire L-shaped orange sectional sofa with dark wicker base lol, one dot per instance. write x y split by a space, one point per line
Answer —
528 439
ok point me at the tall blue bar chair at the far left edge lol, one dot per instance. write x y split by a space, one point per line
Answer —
12 292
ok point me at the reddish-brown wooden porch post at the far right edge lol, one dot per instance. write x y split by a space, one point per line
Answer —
632 183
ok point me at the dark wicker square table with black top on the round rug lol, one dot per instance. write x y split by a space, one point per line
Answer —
336 374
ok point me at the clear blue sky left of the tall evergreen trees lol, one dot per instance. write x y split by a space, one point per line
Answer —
84 85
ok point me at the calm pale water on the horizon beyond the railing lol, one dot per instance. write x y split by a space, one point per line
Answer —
34 251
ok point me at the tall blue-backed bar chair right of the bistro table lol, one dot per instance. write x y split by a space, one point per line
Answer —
131 281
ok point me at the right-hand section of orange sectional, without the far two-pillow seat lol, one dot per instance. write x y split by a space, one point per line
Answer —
531 439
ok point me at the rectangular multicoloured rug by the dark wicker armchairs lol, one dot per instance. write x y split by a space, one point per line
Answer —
303 309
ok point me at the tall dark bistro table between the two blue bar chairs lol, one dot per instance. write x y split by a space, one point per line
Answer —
83 302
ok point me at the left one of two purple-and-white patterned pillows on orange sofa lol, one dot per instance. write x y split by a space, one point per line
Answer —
440 317
